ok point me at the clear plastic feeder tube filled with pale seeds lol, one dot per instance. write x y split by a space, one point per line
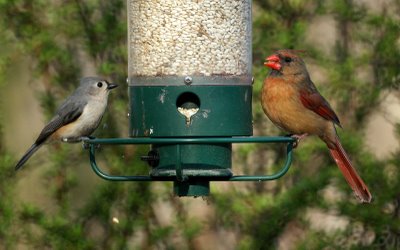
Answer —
197 38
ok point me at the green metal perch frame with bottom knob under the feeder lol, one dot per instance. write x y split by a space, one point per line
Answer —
185 184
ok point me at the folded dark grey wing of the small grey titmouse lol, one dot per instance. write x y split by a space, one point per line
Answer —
68 112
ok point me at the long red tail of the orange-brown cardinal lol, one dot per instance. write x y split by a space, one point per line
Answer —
349 173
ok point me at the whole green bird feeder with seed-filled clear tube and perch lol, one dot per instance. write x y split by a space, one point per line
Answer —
190 92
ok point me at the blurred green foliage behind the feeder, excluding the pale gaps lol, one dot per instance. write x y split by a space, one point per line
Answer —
53 34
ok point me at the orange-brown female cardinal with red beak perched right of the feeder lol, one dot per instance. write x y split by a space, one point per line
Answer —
292 102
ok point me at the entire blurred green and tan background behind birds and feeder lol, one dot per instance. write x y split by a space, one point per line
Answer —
57 202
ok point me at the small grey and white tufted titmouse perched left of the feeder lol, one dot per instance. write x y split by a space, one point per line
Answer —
77 117
